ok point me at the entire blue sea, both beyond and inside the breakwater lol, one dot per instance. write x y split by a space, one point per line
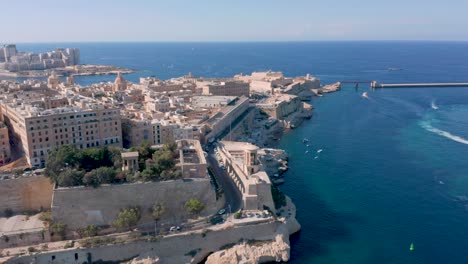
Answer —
393 169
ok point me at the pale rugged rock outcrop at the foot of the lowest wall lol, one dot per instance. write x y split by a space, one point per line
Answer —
254 252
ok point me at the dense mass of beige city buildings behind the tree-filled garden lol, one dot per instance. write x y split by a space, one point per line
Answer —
42 116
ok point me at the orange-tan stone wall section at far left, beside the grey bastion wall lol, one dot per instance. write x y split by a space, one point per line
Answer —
25 194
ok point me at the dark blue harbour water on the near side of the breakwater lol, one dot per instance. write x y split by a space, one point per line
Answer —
389 174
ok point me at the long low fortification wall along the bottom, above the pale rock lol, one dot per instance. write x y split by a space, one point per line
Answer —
183 248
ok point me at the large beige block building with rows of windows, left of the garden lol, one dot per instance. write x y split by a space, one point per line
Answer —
40 130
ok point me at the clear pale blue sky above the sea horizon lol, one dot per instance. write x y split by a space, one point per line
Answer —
232 20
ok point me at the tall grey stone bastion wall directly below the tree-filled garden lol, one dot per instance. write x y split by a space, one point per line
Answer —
81 206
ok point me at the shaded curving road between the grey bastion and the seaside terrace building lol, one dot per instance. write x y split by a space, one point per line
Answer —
231 193
